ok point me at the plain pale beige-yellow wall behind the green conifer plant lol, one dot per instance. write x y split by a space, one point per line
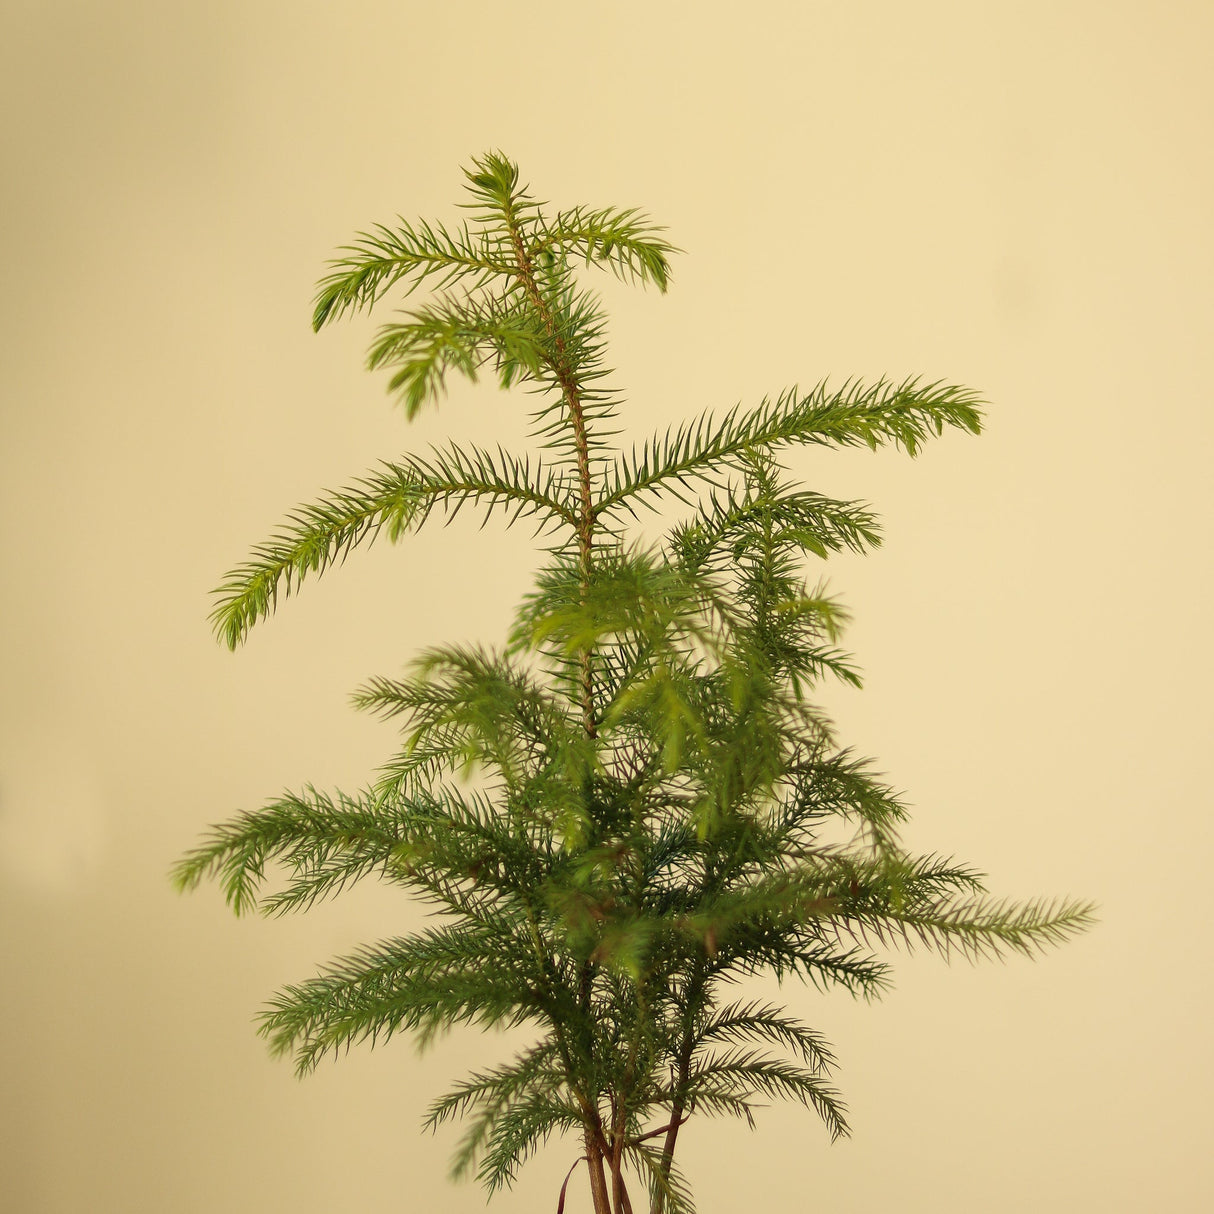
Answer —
1012 196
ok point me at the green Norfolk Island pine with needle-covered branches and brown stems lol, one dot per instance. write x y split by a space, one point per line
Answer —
629 805
